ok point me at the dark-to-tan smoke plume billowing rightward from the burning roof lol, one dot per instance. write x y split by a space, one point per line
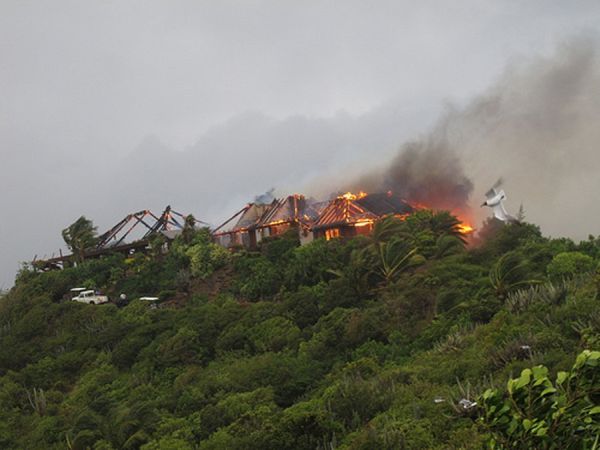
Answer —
537 127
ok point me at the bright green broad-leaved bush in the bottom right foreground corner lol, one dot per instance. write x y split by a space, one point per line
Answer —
538 413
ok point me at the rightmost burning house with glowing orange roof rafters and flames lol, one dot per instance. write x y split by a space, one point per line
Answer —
351 215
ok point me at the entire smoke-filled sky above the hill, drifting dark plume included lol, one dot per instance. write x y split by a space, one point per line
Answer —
112 107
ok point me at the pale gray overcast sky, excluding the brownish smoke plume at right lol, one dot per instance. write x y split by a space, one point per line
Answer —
113 106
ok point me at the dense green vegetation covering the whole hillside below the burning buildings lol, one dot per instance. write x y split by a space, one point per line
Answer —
405 339
